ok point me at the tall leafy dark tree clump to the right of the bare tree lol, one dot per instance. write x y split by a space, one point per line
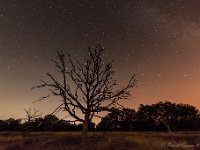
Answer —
162 116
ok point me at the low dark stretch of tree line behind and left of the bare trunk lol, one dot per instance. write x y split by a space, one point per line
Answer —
47 123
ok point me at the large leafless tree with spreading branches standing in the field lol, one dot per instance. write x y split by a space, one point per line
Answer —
93 89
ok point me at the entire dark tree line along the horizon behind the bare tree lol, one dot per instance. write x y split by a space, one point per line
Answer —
162 116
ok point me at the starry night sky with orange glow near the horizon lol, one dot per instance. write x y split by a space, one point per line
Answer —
157 40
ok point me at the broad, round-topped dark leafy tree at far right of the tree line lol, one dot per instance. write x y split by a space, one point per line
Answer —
168 116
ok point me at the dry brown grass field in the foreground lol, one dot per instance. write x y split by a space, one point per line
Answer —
100 141
